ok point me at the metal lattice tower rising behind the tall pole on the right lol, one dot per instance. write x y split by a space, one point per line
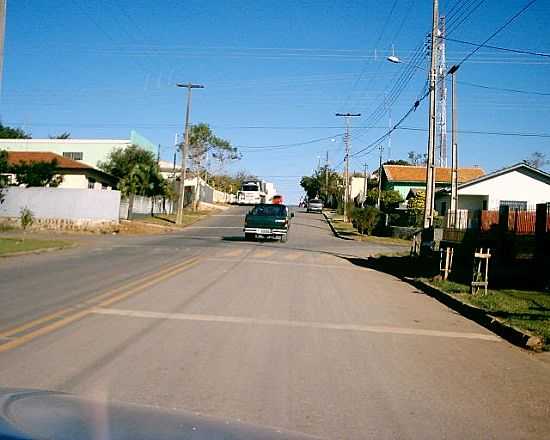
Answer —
441 99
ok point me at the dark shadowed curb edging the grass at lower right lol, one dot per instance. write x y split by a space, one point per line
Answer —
514 335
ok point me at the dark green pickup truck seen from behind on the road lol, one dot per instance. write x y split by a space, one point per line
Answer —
268 221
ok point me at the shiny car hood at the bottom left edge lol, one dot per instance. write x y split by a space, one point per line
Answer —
29 414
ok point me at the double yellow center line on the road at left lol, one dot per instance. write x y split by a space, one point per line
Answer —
21 334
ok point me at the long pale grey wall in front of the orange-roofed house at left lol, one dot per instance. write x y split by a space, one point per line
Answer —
78 205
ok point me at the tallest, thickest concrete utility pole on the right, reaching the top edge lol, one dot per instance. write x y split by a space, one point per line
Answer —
430 165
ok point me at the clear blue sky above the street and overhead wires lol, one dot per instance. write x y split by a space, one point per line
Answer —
275 73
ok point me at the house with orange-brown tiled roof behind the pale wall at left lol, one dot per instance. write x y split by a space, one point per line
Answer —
75 174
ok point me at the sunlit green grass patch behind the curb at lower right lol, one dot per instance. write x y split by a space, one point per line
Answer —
526 309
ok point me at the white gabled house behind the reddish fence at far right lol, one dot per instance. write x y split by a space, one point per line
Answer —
518 186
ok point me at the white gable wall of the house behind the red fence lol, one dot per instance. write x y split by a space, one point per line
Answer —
510 186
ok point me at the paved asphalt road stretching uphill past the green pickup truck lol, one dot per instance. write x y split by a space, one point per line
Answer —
289 335
